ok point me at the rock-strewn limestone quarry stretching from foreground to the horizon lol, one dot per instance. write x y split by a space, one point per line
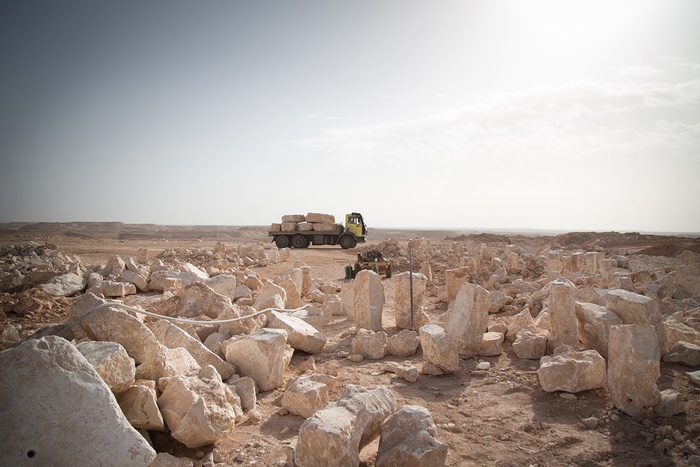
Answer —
154 345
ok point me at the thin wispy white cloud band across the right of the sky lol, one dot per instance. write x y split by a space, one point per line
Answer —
579 120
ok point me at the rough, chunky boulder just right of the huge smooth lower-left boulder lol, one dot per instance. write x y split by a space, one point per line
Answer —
197 411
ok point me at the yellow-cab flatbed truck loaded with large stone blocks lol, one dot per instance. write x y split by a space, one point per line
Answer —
298 231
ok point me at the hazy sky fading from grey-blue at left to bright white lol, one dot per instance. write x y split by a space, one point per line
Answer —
569 115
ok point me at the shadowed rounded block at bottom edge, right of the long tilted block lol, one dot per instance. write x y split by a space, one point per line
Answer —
408 438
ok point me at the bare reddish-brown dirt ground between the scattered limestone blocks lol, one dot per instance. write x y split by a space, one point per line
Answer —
500 416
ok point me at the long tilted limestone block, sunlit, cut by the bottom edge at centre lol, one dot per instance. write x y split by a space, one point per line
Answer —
334 436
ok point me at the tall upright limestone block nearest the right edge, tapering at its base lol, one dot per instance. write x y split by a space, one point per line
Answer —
633 367
